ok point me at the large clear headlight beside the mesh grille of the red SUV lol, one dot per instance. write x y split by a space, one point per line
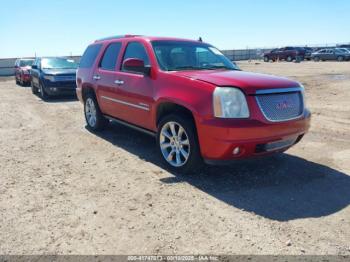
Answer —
230 102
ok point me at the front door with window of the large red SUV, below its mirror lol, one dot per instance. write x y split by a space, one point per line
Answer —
135 90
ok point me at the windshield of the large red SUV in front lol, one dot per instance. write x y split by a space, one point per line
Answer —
182 55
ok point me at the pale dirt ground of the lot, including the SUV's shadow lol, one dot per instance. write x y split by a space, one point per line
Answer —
65 190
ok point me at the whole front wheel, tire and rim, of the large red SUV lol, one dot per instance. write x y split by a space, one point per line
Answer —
178 144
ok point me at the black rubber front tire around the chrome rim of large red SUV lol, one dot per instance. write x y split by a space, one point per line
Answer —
194 162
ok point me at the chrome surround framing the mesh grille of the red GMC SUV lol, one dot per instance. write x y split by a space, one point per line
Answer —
278 91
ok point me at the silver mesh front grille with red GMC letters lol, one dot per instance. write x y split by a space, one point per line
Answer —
277 107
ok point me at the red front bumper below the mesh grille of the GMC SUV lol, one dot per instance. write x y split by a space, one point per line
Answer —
219 137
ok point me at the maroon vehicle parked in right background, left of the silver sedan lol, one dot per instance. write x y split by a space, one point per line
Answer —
286 53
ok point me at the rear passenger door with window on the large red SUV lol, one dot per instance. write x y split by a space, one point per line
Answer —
104 78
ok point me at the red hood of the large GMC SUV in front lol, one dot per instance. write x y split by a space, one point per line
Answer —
249 82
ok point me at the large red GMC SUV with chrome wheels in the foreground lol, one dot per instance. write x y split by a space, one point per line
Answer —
196 102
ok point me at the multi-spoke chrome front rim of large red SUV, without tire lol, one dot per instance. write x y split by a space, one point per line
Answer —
174 144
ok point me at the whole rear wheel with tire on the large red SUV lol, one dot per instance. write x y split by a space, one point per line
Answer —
93 115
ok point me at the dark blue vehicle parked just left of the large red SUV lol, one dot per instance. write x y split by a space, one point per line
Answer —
53 76
